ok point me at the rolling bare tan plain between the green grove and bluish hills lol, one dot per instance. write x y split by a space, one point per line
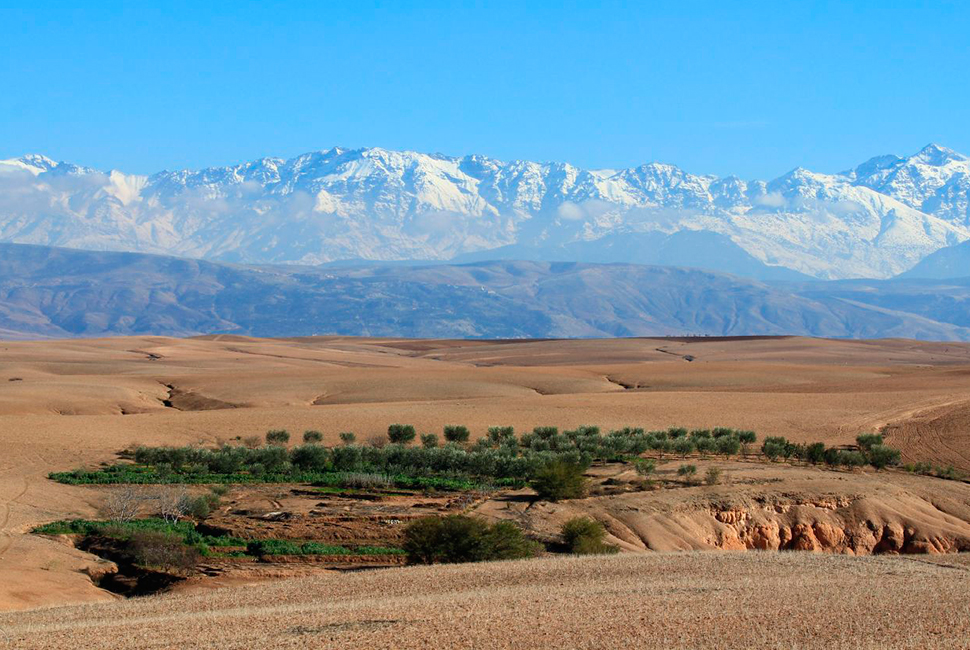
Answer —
65 404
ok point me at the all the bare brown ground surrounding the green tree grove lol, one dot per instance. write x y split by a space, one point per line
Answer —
66 404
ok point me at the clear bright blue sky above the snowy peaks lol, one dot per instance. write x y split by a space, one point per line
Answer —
715 87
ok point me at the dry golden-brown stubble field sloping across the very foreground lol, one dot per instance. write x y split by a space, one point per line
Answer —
670 601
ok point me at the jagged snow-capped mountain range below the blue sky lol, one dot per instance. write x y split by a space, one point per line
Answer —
874 221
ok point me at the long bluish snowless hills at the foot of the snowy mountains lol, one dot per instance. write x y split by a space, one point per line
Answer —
57 292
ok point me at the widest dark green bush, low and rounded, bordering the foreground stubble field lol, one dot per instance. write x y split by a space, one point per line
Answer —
458 538
